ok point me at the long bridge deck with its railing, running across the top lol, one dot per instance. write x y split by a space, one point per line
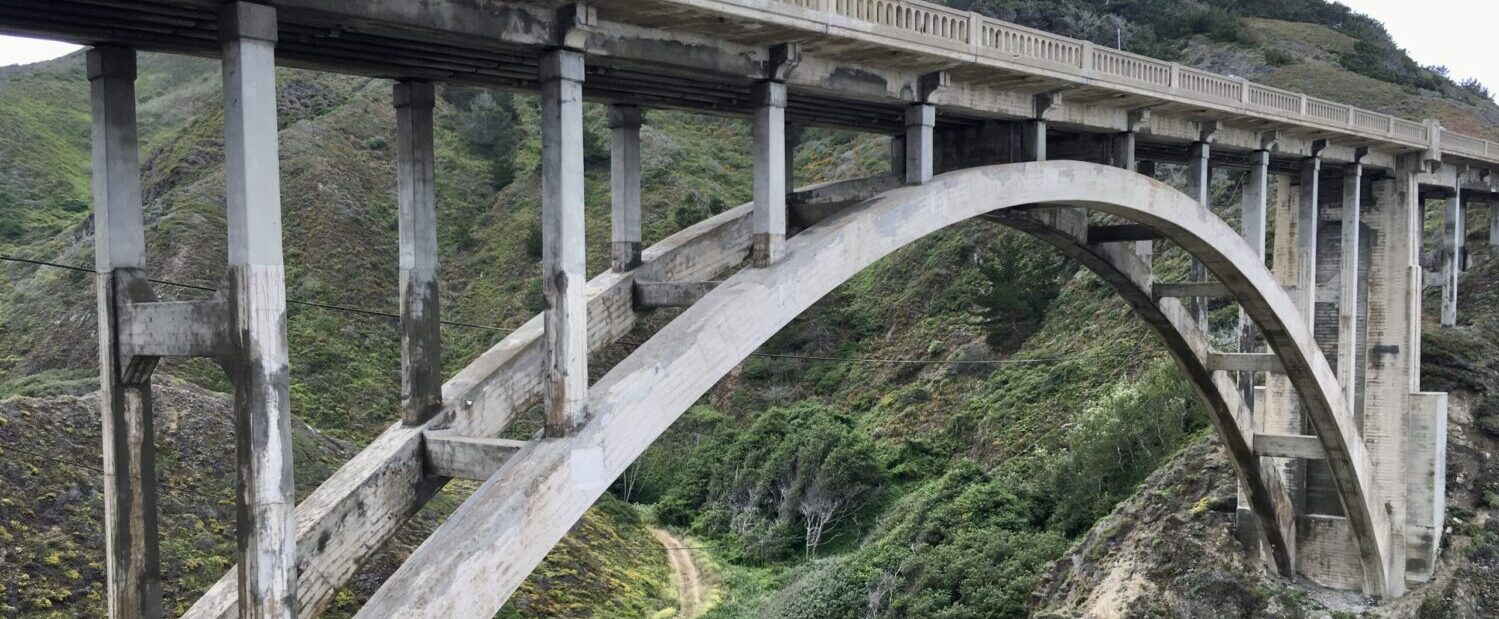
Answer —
863 64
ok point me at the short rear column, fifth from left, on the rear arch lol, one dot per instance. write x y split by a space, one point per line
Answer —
624 187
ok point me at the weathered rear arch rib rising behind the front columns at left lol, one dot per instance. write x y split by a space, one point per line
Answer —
352 516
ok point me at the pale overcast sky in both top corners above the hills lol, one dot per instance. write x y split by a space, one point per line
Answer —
1455 34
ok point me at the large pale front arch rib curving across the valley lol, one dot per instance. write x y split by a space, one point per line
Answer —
488 548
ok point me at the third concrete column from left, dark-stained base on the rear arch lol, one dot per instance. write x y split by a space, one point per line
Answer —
420 327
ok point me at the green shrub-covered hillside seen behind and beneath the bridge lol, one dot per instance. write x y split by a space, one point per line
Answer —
978 410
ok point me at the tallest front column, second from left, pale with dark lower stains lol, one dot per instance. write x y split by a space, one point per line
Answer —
257 301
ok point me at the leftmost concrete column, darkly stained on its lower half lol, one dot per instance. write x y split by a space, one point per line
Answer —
133 543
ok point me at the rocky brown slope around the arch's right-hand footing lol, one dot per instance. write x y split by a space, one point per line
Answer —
1171 551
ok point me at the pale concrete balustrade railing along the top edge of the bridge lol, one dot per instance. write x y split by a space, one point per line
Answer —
987 38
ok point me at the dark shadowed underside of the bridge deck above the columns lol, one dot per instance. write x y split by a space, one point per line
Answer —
500 46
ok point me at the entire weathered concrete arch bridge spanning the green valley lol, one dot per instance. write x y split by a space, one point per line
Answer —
1341 456
